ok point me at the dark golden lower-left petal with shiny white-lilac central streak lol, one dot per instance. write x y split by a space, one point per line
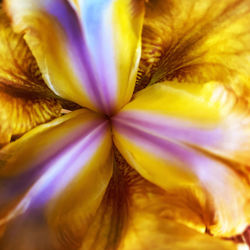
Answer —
52 181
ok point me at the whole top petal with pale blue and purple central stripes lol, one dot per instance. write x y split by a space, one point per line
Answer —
94 54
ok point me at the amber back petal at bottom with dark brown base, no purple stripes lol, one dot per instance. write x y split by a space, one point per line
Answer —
135 214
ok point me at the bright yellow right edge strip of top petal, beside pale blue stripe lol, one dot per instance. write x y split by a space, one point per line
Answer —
127 19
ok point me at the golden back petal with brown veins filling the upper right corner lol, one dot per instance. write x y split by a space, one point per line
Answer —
197 41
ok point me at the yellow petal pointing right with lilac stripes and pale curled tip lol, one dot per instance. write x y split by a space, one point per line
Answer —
184 134
